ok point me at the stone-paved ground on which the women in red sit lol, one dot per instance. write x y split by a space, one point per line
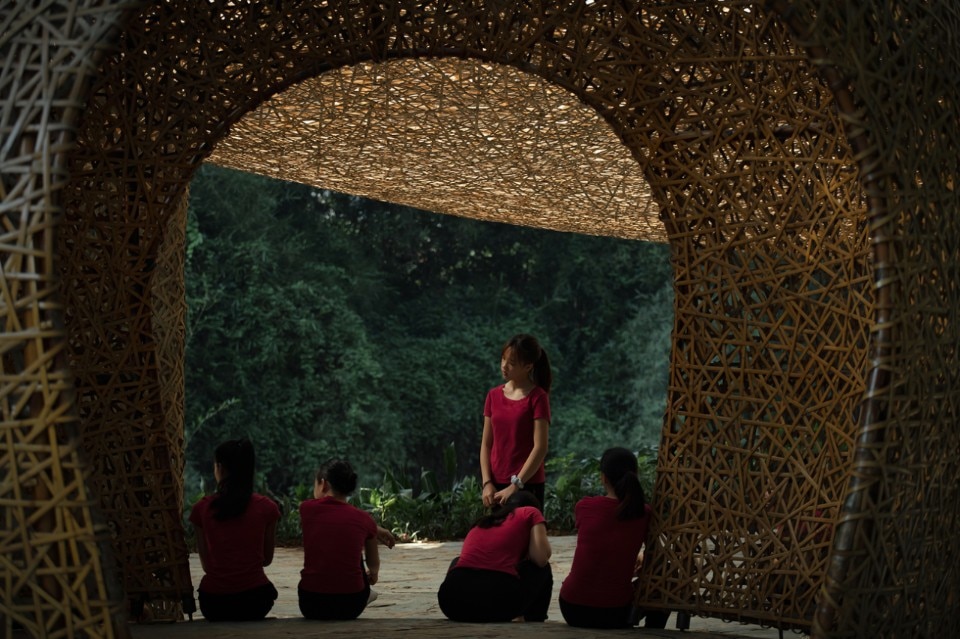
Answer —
406 606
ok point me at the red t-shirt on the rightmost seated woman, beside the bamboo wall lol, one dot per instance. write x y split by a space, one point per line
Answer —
606 554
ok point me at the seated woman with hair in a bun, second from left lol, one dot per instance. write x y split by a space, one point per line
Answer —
336 536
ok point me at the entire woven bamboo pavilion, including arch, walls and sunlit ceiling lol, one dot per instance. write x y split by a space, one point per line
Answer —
799 157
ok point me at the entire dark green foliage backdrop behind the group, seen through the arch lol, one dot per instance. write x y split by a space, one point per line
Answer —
321 324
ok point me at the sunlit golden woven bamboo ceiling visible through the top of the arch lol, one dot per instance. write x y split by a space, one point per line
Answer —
452 135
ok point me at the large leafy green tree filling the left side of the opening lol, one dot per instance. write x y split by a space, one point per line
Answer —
272 335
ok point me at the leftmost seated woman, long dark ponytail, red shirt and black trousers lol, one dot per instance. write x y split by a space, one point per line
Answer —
236 531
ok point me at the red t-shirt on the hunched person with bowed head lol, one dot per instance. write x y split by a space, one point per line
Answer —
500 547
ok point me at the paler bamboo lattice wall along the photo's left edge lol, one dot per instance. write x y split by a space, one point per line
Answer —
53 580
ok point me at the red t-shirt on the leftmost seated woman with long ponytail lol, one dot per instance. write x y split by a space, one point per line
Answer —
234 546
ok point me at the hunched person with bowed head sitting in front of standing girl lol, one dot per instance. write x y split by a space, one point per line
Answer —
503 571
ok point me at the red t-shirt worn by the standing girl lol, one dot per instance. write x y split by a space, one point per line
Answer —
512 423
